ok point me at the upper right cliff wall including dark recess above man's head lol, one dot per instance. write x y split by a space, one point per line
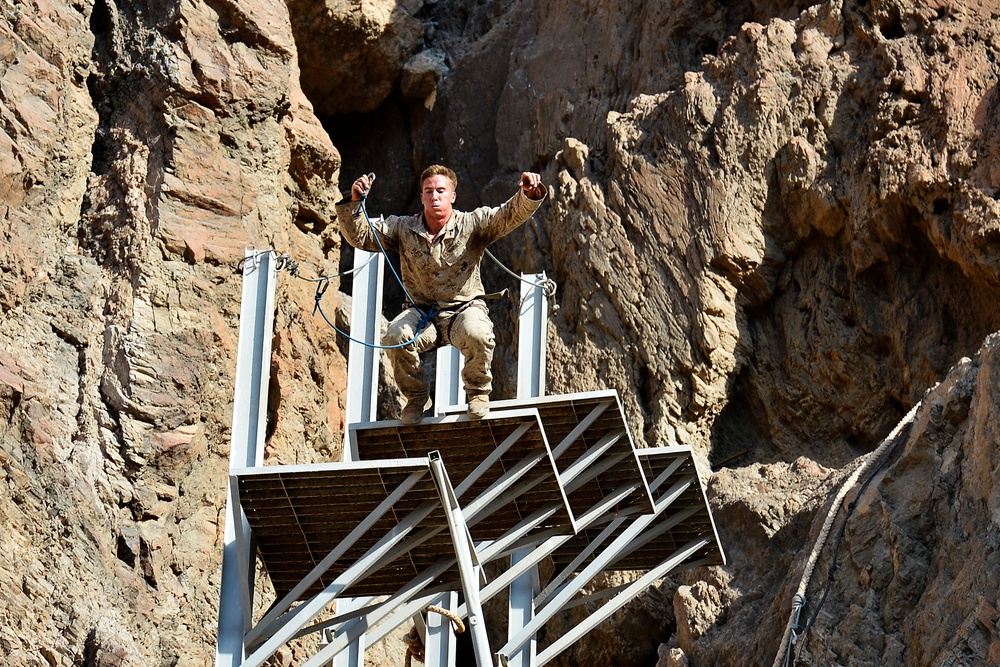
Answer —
705 173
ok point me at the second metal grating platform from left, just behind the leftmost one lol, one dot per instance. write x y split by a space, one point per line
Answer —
501 467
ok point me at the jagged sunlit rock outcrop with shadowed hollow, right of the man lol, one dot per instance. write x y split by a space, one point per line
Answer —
748 208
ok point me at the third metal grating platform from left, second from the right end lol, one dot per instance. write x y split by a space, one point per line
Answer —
592 448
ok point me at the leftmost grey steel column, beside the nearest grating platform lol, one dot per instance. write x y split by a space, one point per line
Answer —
246 449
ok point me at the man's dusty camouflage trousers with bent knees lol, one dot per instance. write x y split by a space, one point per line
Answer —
469 329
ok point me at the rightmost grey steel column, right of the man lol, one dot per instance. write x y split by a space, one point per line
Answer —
532 324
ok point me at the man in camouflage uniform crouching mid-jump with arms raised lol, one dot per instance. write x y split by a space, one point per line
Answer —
440 251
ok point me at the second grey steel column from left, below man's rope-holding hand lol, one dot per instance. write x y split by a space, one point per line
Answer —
362 389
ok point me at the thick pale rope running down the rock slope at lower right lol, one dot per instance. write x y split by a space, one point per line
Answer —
793 631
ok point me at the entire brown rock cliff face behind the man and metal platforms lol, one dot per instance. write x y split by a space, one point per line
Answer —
774 226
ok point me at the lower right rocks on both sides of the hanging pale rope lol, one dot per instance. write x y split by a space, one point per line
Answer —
906 576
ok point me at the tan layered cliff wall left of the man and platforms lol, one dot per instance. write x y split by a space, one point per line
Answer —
145 146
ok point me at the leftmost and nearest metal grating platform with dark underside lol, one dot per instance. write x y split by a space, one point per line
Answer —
299 514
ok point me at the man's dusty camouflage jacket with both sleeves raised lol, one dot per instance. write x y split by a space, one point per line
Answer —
442 270
